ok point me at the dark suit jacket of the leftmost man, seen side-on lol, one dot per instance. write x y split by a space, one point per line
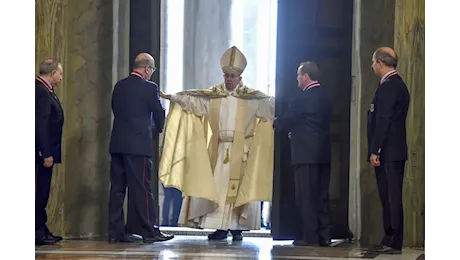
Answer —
48 120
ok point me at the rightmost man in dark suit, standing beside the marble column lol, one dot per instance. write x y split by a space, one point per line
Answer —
386 131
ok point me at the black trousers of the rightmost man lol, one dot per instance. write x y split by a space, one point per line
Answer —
390 177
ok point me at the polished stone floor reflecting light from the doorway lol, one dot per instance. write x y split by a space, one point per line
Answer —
199 248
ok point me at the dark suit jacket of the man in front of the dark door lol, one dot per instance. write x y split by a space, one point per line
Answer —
308 118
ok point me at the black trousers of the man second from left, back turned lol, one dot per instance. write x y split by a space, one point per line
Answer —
132 172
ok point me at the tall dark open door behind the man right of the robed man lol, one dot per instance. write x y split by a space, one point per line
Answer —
318 30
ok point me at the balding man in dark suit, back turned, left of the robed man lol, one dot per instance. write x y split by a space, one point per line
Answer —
135 101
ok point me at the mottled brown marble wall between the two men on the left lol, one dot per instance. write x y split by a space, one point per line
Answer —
82 34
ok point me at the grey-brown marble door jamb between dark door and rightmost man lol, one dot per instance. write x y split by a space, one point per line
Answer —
373 27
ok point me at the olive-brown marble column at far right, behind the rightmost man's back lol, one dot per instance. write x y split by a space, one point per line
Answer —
409 43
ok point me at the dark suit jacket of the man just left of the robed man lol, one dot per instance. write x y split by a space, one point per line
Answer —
135 101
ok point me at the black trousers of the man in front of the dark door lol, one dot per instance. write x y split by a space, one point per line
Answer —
312 202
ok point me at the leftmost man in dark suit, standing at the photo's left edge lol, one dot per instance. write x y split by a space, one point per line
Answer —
48 120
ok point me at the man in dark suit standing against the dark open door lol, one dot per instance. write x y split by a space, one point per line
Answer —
308 120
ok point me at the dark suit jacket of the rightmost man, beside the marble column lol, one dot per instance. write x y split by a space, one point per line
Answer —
386 125
